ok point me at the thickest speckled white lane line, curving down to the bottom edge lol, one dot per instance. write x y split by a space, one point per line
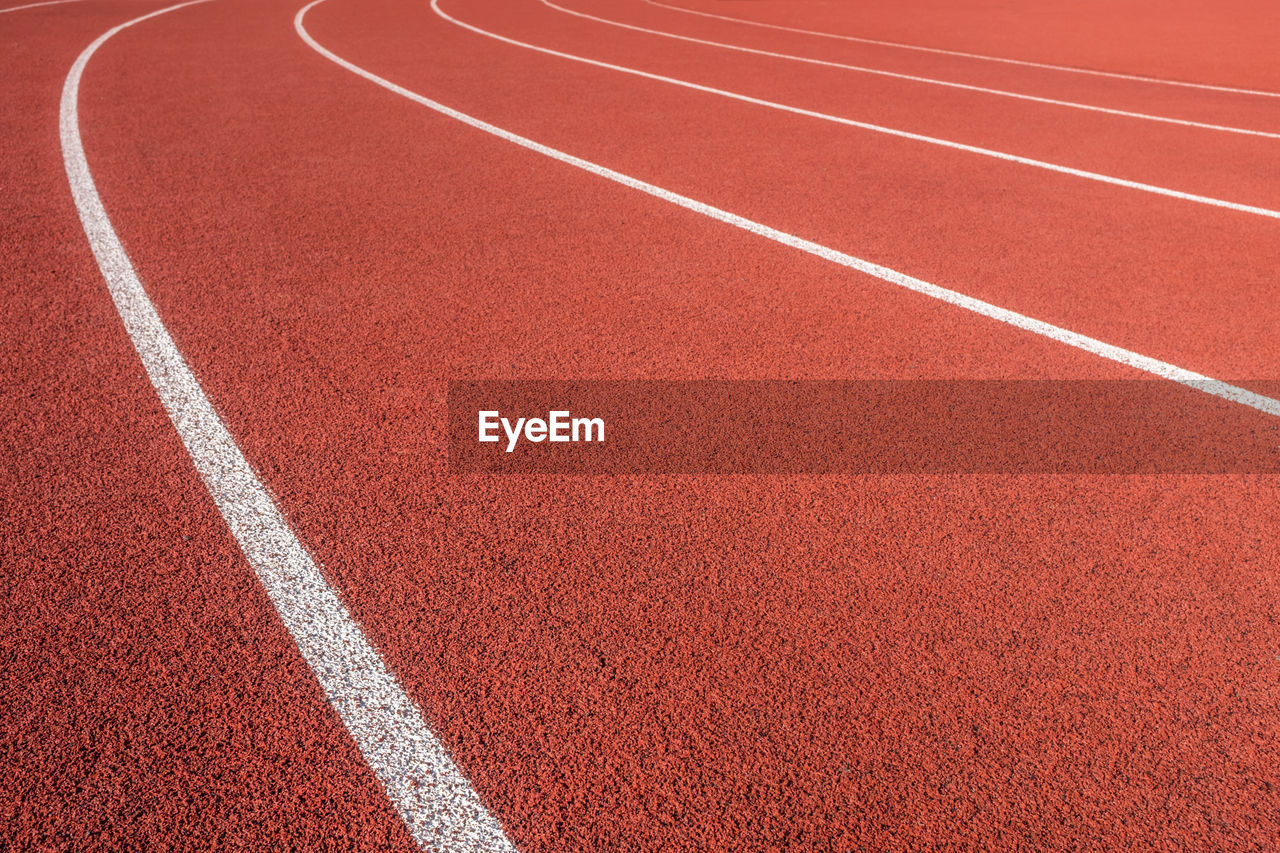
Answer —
437 804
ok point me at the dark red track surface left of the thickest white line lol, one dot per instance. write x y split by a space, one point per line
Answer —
149 695
